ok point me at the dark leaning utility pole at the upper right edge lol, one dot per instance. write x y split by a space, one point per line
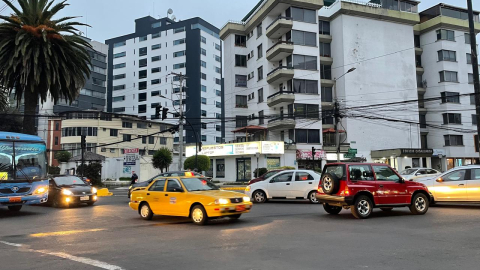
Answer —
476 82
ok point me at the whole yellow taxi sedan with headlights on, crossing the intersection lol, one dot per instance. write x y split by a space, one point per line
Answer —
191 197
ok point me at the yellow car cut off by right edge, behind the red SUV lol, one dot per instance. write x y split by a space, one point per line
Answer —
460 184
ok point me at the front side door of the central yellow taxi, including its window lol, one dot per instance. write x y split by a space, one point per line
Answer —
176 199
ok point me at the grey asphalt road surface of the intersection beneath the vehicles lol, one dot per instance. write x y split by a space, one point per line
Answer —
275 235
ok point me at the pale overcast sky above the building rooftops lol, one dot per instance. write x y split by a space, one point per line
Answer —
112 18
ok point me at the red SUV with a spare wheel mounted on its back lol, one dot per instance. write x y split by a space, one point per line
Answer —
363 186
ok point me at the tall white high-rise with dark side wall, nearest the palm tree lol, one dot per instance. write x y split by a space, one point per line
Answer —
140 76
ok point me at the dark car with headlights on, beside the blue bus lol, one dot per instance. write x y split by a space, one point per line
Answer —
67 190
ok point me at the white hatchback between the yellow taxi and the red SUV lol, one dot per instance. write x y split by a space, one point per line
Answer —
288 184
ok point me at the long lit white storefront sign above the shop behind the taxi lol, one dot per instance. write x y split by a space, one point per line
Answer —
246 148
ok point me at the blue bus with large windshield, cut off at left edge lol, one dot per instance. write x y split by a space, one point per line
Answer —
23 170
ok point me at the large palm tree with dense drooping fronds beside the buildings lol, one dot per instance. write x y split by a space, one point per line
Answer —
41 57
